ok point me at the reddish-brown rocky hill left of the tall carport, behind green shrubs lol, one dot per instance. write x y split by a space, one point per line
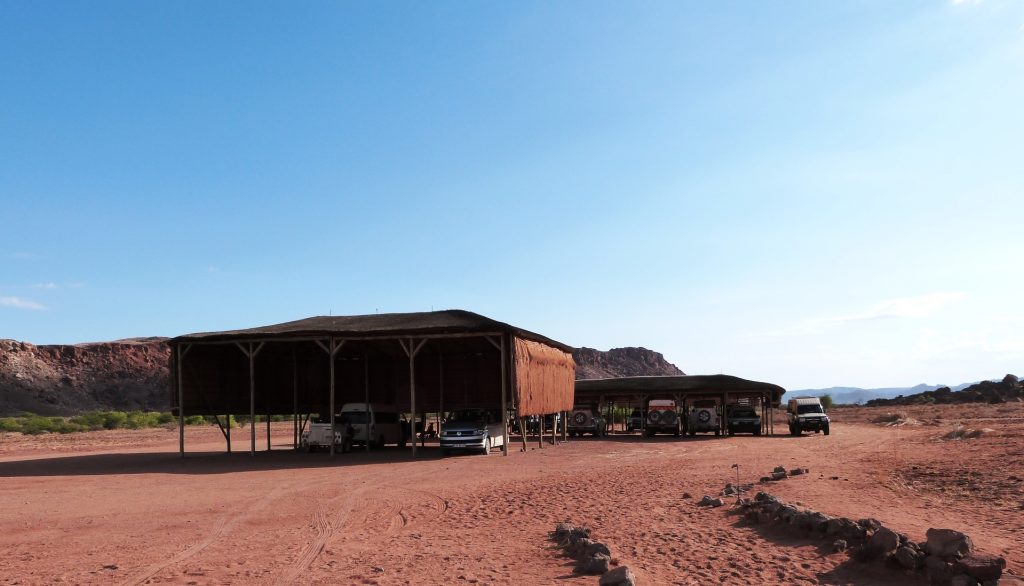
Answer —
125 375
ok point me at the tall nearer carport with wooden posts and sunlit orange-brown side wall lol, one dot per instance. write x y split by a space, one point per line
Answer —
422 363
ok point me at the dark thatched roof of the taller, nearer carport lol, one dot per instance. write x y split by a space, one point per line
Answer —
377 325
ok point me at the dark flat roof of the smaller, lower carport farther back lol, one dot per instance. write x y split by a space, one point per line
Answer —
691 385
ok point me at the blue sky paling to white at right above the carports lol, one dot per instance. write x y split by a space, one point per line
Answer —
809 193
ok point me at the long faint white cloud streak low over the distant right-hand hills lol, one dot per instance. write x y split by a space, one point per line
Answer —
903 308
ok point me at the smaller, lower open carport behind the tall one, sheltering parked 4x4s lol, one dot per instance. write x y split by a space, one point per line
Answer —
684 390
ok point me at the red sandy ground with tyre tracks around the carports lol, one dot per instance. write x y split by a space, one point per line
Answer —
120 508
